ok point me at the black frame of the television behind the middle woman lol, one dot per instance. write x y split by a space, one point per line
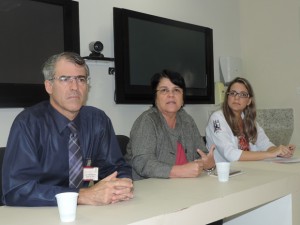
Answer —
126 93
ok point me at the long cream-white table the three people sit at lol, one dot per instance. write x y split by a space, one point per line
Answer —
183 201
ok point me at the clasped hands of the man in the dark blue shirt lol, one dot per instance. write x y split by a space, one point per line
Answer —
107 191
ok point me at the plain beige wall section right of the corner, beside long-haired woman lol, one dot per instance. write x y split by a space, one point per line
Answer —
270 40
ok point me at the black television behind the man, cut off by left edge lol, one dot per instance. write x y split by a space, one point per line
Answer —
31 31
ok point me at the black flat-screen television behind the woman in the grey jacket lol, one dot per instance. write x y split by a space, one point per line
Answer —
147 44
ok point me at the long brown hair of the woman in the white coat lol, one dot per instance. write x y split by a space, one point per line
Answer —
249 121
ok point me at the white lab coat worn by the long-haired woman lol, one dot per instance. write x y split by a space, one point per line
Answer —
219 133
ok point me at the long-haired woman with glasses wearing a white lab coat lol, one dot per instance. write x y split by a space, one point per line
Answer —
236 133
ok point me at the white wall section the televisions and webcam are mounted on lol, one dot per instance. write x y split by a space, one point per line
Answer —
96 23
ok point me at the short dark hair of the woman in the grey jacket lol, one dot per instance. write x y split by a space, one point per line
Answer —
174 77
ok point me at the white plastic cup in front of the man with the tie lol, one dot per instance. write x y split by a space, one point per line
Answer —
67 205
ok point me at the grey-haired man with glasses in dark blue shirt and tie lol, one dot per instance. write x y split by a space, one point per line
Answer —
61 145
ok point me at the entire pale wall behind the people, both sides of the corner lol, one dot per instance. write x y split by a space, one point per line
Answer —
265 34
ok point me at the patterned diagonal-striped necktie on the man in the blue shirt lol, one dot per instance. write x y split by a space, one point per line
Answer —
75 158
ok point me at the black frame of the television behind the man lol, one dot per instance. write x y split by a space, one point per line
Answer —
22 95
